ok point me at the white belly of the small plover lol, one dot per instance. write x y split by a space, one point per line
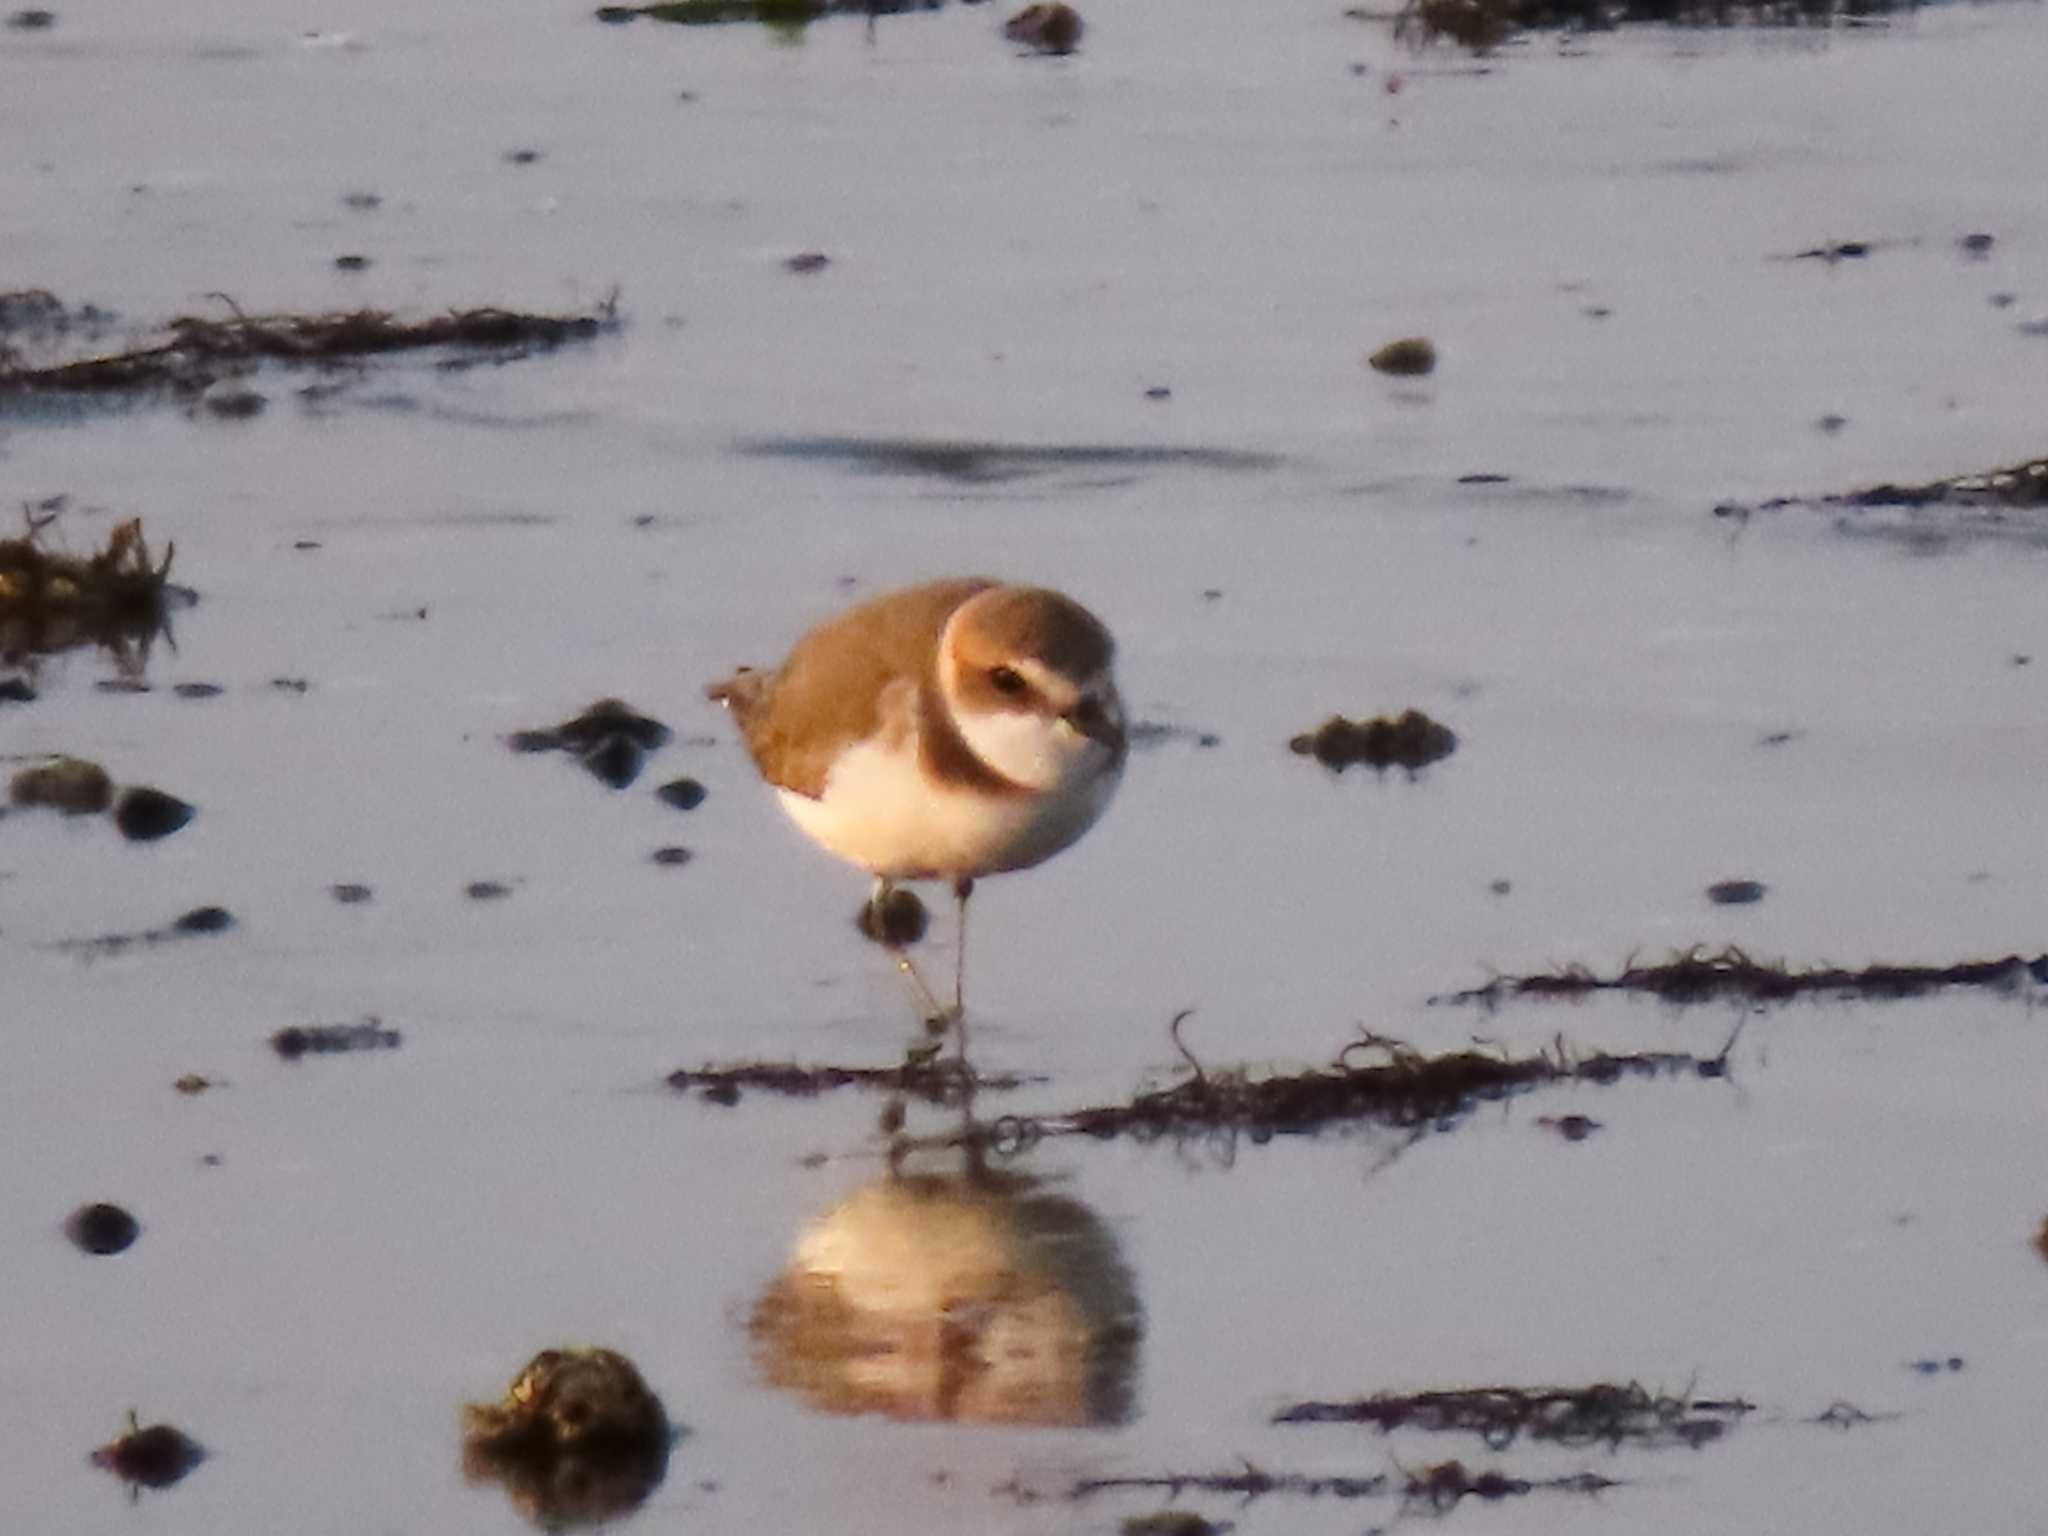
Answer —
884 814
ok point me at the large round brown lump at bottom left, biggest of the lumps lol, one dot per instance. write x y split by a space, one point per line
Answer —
579 1439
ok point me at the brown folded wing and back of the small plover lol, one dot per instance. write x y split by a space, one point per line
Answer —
830 691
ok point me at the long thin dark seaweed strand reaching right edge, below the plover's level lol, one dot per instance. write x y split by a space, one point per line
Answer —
1703 976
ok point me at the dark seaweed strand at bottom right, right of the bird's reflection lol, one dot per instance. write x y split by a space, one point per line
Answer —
1605 1414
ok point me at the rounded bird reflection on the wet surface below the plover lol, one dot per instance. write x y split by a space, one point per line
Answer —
974 1297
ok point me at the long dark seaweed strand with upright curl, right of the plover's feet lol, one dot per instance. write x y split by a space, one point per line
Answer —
1373 1080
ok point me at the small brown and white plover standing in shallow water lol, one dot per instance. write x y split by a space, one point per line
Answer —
943 732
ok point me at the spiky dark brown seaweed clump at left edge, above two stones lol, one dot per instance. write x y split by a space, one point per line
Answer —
52 601
